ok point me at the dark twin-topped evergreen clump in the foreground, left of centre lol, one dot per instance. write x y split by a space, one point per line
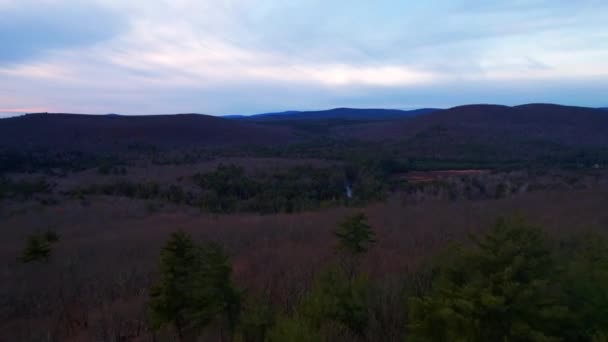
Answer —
194 288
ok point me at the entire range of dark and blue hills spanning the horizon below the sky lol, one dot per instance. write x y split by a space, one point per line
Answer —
483 125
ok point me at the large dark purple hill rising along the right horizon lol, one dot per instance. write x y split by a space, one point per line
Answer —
495 124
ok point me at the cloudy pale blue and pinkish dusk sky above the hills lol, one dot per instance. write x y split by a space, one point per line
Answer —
252 56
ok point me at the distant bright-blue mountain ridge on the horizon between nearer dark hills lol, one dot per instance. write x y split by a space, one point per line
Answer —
338 113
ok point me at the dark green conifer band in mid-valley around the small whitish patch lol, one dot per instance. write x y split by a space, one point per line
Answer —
230 189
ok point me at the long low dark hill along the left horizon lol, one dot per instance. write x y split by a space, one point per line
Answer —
78 131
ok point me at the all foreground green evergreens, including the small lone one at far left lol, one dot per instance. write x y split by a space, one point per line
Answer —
511 283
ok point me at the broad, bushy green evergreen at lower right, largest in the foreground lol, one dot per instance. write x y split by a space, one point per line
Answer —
500 289
